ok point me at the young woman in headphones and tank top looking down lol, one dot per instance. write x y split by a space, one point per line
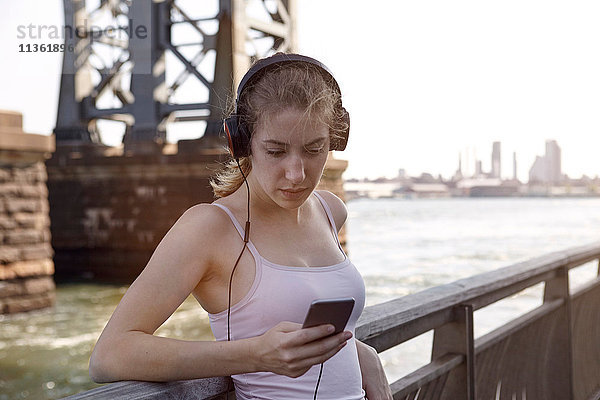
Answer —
256 279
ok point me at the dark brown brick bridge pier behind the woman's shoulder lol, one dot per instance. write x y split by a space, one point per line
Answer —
109 211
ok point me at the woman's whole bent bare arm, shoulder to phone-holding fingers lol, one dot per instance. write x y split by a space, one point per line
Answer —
128 350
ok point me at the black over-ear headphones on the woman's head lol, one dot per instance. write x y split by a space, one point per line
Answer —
238 133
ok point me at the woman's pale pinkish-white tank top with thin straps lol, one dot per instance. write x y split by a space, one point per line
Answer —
283 293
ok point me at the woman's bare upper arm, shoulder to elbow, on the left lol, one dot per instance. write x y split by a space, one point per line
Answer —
185 255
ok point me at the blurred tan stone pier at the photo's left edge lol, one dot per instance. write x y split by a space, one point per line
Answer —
26 265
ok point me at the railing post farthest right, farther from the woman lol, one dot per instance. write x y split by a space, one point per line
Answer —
558 288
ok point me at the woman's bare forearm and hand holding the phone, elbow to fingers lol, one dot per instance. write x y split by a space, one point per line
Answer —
285 349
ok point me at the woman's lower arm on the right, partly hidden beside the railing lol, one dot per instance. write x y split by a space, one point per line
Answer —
374 381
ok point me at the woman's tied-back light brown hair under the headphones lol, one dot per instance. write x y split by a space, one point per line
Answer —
296 85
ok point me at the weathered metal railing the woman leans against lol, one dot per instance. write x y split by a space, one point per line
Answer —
551 352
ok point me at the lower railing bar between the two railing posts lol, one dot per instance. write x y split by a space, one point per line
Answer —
507 329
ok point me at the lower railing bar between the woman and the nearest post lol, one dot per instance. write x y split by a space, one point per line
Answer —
426 374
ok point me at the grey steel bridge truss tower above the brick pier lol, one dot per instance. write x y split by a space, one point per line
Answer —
124 50
